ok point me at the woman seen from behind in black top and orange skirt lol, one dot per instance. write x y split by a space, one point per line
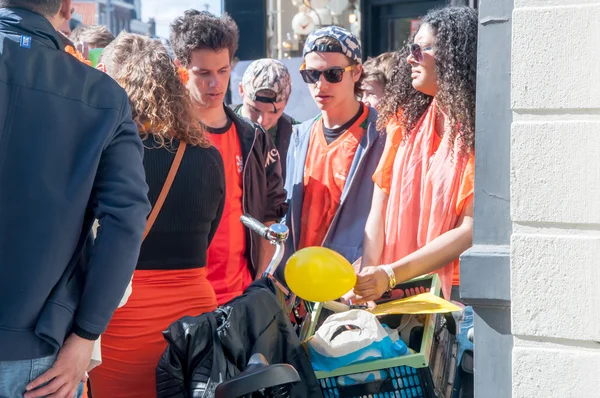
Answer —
170 278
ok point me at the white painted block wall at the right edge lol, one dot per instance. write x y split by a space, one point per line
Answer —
555 198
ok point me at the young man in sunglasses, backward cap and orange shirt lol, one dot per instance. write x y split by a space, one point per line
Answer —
332 157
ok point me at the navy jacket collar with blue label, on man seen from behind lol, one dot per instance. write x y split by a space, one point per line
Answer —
22 21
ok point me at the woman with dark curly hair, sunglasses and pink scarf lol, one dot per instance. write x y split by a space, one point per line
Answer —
421 218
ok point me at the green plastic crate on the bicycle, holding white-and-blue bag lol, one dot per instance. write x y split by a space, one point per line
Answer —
409 376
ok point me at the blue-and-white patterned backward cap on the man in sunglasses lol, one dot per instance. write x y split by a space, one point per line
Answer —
349 45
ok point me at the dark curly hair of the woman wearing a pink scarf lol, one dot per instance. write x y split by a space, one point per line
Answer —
455 31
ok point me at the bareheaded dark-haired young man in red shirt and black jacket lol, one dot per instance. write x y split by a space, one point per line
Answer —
205 44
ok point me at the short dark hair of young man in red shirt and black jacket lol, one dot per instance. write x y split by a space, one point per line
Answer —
197 30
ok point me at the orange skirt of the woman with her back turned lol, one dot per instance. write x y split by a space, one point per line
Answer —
133 343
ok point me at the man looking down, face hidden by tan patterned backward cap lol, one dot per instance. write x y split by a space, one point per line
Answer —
265 89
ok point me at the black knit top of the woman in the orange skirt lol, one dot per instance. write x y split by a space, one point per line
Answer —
192 210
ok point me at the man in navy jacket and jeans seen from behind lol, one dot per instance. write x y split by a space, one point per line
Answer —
69 154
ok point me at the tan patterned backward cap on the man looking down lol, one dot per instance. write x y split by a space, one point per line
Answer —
267 74
